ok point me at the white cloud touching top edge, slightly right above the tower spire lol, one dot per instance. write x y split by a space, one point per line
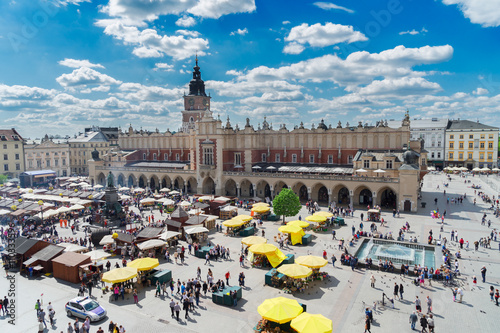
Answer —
217 8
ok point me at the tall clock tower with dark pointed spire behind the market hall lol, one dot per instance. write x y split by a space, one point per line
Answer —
196 102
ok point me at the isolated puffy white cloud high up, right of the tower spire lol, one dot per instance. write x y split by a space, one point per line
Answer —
318 35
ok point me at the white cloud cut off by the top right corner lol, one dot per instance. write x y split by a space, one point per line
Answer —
484 12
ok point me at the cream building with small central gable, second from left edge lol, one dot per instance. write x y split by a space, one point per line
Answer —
48 154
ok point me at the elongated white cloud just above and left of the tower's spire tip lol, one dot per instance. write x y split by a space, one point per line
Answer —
149 44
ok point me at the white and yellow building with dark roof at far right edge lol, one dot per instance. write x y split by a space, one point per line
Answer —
471 144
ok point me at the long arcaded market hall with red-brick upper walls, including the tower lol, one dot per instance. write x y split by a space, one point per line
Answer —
210 157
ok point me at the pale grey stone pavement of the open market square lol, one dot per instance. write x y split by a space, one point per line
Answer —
339 298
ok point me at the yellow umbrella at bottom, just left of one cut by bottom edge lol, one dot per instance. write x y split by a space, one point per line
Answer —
280 309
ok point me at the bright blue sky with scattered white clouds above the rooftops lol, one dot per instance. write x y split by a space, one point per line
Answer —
70 64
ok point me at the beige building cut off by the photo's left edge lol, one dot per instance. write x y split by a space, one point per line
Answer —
12 145
